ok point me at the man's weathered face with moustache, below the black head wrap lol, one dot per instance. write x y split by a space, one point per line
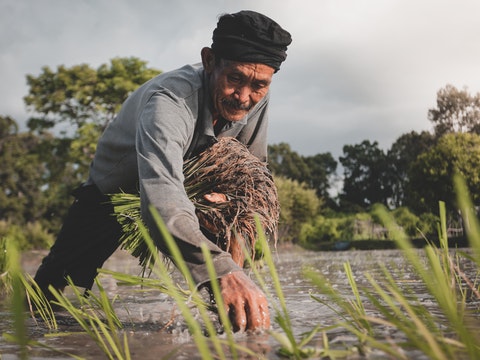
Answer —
237 87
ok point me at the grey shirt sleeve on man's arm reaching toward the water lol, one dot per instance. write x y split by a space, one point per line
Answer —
162 137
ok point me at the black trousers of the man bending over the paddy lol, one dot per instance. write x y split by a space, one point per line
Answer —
89 235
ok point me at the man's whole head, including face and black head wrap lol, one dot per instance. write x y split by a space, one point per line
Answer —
247 50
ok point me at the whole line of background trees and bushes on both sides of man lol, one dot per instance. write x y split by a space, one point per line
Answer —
69 108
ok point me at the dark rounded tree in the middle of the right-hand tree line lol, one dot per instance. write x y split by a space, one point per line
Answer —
365 175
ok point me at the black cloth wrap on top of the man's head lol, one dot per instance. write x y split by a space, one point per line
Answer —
248 36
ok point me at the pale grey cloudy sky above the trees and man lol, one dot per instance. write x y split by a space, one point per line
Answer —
356 70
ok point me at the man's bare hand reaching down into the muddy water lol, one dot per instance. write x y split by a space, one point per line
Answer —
245 303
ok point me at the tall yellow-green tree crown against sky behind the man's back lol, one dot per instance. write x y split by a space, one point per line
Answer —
80 94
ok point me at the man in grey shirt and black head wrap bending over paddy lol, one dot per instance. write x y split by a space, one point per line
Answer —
167 120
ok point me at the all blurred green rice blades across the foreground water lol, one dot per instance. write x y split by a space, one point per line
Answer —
437 267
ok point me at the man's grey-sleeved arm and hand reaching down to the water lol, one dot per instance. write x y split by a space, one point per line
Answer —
160 145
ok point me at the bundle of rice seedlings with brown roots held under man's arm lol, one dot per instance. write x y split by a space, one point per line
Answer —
227 168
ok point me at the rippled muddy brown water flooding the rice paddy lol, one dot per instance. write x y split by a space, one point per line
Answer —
155 330
